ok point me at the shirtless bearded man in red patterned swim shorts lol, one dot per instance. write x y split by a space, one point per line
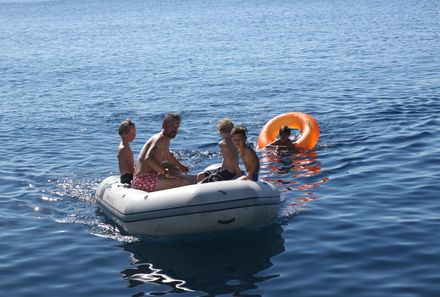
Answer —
152 172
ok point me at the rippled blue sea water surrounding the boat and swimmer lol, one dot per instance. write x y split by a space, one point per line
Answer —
362 211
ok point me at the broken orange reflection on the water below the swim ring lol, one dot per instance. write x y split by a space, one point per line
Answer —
295 174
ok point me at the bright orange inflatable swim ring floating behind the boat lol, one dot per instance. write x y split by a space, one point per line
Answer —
295 120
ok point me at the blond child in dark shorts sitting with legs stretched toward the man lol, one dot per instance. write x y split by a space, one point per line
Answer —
229 169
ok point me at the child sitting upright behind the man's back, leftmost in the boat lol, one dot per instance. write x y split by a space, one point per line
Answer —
127 131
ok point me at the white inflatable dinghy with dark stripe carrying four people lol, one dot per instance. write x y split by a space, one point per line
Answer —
190 209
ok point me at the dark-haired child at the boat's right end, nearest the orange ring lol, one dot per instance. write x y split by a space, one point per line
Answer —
247 153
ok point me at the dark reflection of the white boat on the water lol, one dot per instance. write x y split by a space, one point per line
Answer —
230 262
